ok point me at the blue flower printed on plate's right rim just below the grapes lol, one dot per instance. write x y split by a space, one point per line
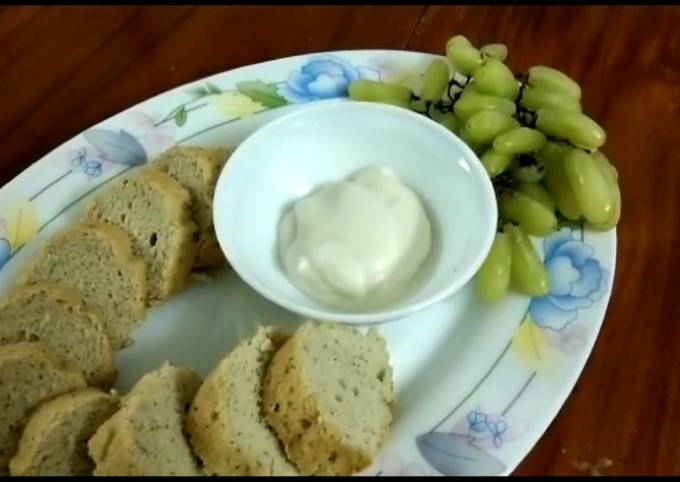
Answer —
577 280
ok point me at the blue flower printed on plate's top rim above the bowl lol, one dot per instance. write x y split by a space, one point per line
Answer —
323 77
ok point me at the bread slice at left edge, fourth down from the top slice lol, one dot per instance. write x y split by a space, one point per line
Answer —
58 317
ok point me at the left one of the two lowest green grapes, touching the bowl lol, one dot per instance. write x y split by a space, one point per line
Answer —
493 278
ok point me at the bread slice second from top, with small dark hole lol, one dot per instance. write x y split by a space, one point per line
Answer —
155 212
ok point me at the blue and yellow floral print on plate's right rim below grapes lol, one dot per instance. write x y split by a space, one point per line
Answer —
578 280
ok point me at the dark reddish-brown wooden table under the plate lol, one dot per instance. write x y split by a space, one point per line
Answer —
63 69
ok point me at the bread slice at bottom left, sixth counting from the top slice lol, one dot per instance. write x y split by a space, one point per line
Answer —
54 441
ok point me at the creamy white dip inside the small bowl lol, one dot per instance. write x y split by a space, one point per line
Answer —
356 242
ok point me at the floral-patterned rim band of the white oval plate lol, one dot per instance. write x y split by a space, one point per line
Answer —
552 336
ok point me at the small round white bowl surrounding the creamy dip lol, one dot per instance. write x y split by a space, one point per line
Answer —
326 142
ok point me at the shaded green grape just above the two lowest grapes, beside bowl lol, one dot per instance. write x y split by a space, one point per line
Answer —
532 216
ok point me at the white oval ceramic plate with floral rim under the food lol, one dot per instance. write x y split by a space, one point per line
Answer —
476 385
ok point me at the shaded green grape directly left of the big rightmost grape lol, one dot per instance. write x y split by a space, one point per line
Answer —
556 182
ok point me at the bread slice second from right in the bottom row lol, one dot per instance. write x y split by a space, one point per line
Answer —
225 425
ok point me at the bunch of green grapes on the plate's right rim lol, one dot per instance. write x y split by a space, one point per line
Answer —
541 152
